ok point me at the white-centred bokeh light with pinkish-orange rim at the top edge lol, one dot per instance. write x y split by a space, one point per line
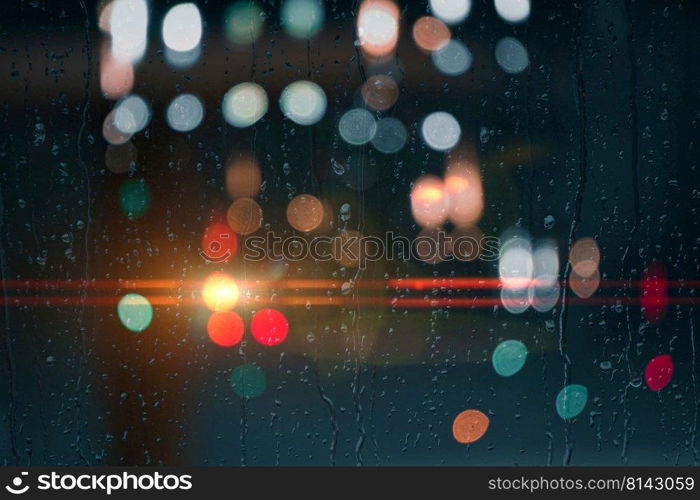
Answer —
378 27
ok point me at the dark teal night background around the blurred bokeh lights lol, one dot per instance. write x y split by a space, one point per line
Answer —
600 133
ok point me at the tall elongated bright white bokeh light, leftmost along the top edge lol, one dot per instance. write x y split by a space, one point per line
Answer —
128 24
